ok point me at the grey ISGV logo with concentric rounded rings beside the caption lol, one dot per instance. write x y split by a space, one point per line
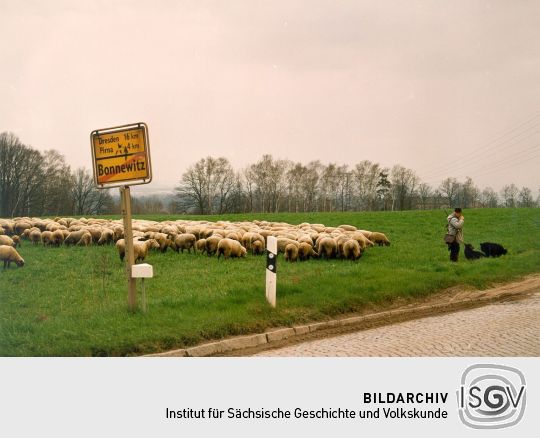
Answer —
491 396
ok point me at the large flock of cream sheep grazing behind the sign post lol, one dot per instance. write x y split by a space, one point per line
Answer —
230 239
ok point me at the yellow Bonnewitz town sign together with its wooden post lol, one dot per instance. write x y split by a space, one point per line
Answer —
121 158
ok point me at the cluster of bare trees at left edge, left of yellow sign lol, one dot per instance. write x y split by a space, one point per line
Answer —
34 183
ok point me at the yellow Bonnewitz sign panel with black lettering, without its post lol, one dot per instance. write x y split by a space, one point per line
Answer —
121 155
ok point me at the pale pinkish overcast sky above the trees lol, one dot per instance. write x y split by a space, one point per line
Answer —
448 88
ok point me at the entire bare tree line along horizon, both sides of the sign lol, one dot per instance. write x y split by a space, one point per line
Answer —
34 183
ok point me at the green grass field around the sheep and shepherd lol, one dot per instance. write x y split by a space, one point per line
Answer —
72 301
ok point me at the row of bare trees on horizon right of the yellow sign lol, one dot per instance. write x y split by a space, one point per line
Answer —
213 186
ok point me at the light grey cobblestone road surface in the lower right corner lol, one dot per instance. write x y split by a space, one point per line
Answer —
510 328
